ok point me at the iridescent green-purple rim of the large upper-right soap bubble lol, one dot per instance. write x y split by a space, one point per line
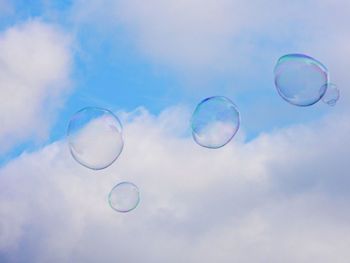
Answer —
310 60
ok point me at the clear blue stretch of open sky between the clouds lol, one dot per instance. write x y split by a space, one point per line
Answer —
110 71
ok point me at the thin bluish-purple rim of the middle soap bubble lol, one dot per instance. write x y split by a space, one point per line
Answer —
197 108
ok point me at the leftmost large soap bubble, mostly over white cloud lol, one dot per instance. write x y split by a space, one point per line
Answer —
95 137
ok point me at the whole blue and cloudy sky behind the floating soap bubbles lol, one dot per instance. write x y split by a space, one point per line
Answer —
278 192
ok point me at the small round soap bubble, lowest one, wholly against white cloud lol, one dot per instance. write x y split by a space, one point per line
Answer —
124 197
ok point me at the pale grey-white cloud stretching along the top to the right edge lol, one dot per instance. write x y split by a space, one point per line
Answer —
236 37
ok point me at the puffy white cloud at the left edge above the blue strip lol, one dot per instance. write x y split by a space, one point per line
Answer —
35 61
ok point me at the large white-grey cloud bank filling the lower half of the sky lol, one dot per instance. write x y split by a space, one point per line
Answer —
281 197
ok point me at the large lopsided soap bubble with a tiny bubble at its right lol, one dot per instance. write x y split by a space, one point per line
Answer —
300 79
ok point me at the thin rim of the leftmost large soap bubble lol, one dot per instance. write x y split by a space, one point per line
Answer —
68 135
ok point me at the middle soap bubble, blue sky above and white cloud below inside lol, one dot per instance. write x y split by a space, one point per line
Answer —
214 122
